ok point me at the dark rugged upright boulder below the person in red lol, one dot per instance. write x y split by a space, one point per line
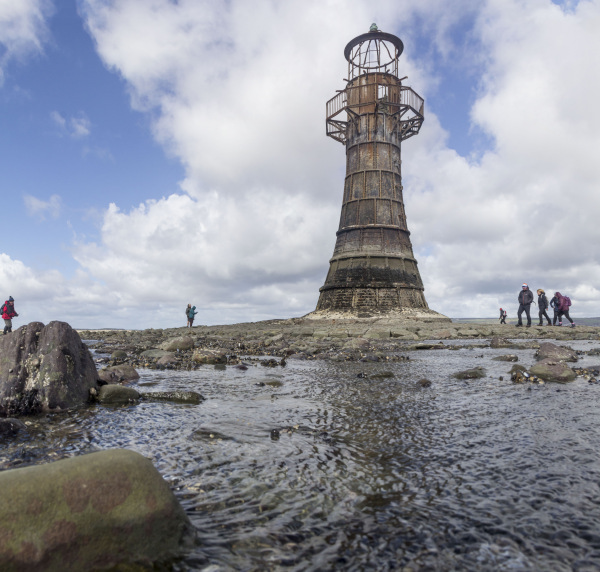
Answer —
44 368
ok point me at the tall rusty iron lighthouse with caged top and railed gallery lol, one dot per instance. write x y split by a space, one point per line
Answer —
373 268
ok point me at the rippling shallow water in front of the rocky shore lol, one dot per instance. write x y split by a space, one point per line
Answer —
319 469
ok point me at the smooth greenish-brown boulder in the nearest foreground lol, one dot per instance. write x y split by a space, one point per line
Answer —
99 511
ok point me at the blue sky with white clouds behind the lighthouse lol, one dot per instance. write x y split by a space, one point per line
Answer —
158 153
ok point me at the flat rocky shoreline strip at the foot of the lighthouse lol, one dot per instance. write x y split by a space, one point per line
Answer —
379 338
